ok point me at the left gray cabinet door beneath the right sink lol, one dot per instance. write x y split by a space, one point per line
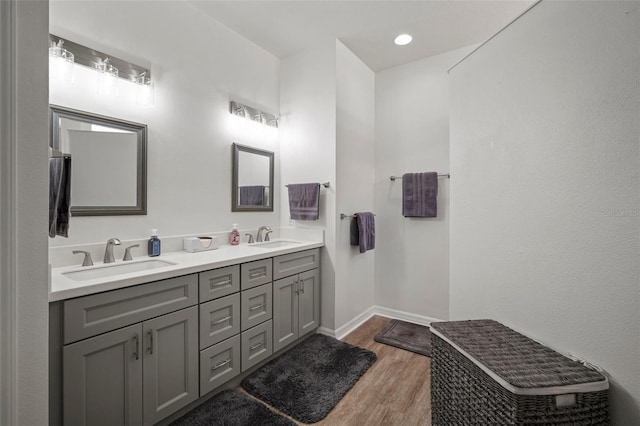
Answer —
285 312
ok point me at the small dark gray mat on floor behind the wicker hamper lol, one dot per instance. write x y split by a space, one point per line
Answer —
405 335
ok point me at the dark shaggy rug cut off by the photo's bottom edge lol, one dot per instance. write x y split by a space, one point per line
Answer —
232 408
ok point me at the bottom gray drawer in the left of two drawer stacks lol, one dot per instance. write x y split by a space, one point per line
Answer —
219 363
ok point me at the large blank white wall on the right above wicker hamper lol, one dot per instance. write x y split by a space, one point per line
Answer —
545 194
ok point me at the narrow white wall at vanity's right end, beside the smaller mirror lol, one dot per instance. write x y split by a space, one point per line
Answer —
308 150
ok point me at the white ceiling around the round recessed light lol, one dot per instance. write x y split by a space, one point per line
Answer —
366 27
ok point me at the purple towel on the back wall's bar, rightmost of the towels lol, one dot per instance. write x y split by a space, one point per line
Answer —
419 194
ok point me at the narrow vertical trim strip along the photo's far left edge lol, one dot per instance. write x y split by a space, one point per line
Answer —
8 182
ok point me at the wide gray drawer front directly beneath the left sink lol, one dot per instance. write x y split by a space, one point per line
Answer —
92 315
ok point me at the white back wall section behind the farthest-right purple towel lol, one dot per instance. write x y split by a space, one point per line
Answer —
412 135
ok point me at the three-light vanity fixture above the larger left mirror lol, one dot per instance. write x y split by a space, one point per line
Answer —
109 68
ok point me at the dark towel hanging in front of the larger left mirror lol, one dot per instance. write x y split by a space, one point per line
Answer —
59 196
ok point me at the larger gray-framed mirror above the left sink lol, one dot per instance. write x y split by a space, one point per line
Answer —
109 162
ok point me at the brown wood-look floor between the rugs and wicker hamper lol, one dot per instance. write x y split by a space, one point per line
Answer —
394 391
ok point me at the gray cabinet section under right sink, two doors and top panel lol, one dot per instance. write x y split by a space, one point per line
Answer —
296 298
